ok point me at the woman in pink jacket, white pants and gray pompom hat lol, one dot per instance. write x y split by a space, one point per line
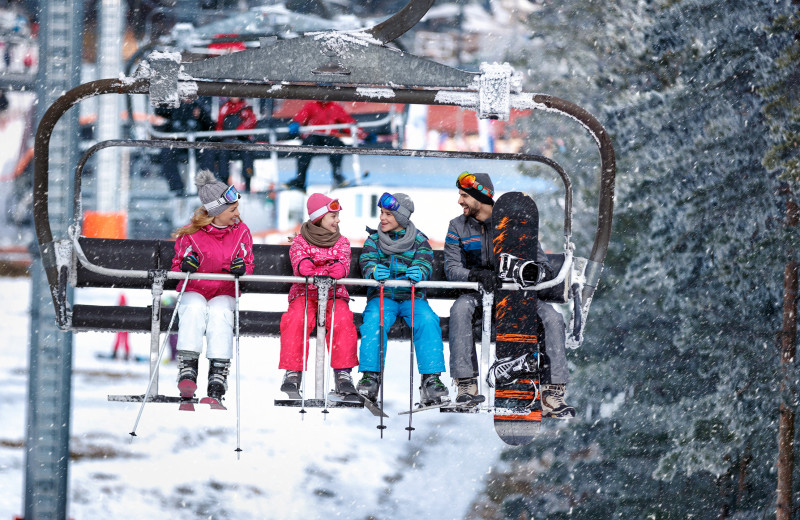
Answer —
215 241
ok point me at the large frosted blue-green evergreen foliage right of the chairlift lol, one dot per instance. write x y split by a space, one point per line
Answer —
683 327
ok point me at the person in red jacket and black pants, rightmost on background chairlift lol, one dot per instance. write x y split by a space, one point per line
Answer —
316 113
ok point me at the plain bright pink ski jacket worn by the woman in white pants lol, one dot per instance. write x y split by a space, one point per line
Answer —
215 248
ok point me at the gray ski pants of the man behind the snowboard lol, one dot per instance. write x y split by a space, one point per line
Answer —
466 311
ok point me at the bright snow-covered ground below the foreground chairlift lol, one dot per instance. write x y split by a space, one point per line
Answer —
181 464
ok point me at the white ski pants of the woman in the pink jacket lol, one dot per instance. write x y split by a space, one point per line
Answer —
210 318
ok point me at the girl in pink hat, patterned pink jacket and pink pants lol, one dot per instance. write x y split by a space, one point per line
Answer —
319 250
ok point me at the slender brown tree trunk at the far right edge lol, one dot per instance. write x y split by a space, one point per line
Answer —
783 510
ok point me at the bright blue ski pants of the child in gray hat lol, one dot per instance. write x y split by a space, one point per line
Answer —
428 343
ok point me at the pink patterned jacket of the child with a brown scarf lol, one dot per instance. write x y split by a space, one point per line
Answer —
309 260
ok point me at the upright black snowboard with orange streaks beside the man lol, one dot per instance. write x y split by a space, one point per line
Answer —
517 403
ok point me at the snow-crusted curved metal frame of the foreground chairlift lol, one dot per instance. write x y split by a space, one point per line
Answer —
347 67
